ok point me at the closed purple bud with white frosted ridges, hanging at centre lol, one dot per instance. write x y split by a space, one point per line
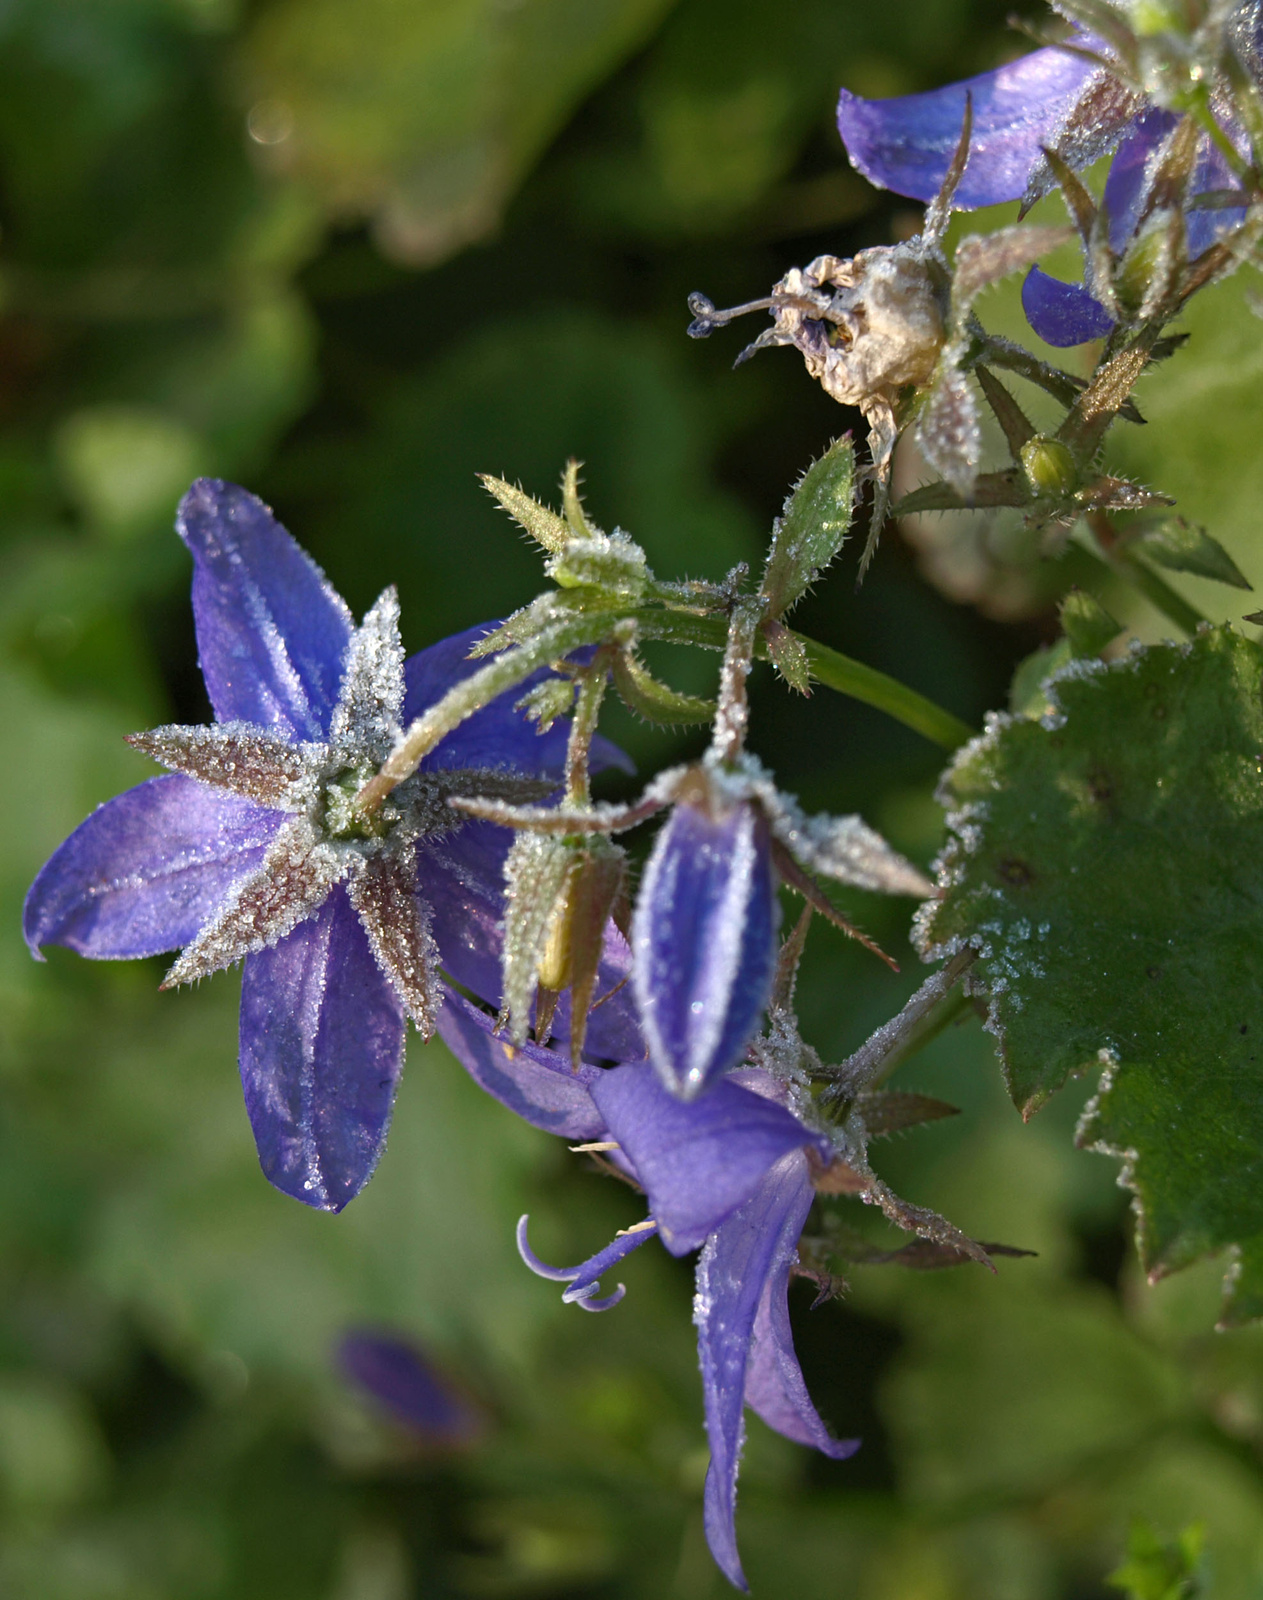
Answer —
704 942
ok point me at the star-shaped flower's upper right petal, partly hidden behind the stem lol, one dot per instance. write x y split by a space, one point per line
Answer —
499 735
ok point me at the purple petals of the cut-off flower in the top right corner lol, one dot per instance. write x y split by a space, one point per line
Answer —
1048 100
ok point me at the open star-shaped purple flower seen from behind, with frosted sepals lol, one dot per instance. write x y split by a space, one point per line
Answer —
252 847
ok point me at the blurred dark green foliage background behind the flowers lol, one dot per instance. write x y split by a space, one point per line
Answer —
351 252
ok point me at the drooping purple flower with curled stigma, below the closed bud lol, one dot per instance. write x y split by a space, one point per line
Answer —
726 1174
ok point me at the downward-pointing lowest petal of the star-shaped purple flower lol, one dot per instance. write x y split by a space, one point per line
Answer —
323 1049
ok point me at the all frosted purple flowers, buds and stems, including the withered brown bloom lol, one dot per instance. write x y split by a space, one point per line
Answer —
383 841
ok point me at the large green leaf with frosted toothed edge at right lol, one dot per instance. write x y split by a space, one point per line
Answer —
1107 862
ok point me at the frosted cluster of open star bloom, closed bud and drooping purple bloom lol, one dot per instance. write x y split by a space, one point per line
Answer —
358 908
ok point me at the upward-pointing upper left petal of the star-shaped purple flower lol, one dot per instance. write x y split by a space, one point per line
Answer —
271 631
